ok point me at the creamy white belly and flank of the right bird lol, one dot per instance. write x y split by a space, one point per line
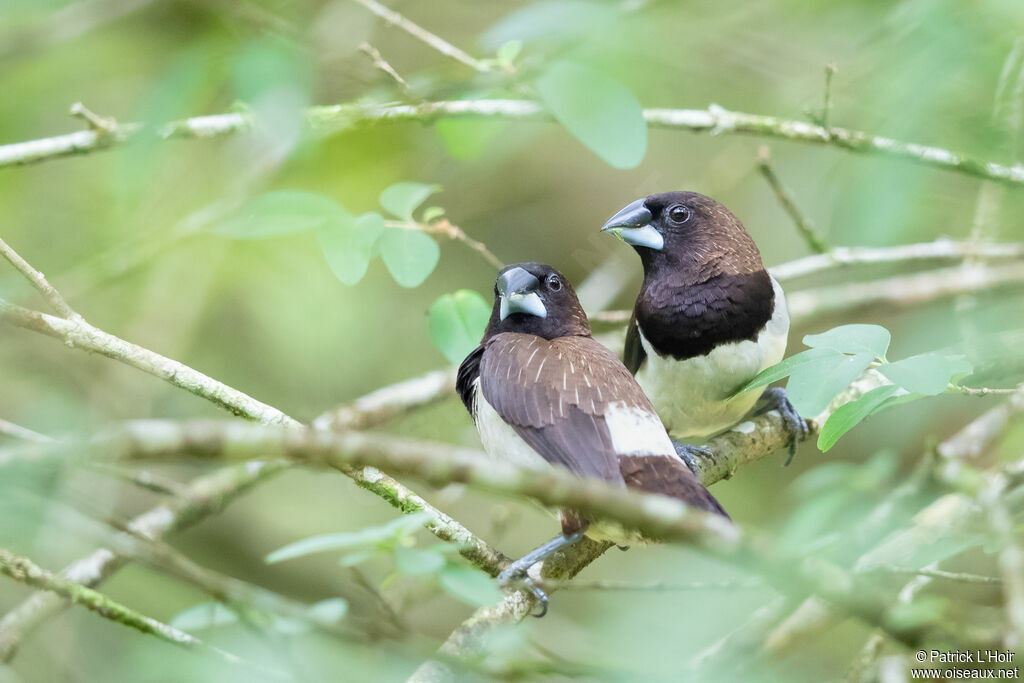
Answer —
693 397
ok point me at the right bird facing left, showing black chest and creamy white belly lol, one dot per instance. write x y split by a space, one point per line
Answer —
708 319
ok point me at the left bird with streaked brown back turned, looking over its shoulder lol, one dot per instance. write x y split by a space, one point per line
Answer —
544 394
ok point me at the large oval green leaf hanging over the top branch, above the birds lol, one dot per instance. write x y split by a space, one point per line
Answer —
599 111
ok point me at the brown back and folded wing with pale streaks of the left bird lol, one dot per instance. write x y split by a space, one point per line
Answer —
554 395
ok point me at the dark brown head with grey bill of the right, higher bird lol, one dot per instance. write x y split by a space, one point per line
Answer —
687 232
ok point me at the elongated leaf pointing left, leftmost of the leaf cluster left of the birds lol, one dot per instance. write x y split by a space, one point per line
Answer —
279 214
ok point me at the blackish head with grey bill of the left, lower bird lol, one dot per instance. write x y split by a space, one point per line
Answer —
536 300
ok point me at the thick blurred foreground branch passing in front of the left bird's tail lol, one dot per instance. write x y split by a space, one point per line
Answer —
656 518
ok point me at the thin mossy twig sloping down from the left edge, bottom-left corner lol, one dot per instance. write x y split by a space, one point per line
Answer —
24 571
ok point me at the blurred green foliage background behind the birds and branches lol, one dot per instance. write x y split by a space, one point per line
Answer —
111 229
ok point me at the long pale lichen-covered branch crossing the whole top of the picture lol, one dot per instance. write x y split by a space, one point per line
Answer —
714 120
